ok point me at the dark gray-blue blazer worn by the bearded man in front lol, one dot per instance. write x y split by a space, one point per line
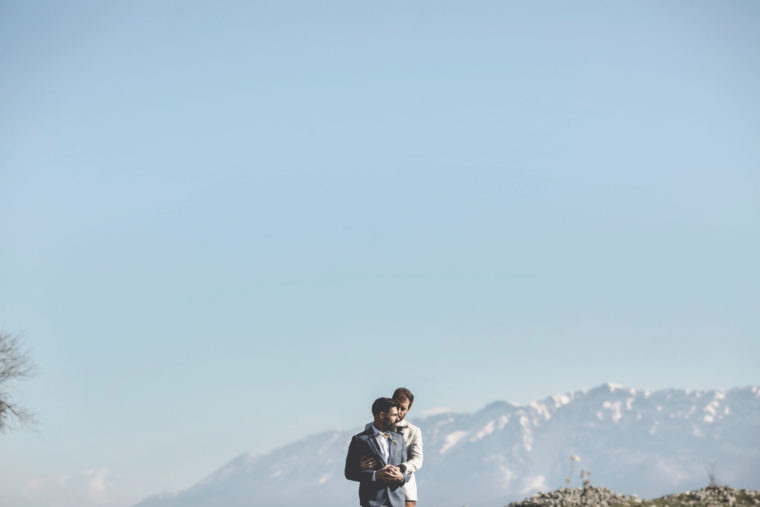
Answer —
376 493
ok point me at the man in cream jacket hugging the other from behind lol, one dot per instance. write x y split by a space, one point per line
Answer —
413 441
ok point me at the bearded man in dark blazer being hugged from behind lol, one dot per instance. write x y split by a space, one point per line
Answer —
381 486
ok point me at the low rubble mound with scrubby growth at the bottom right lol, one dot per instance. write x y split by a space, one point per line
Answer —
711 496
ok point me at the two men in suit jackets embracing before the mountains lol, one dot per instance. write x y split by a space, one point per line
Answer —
384 457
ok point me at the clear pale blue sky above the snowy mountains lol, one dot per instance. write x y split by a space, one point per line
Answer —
226 227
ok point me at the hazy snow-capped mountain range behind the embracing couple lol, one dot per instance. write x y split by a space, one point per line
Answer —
631 441
